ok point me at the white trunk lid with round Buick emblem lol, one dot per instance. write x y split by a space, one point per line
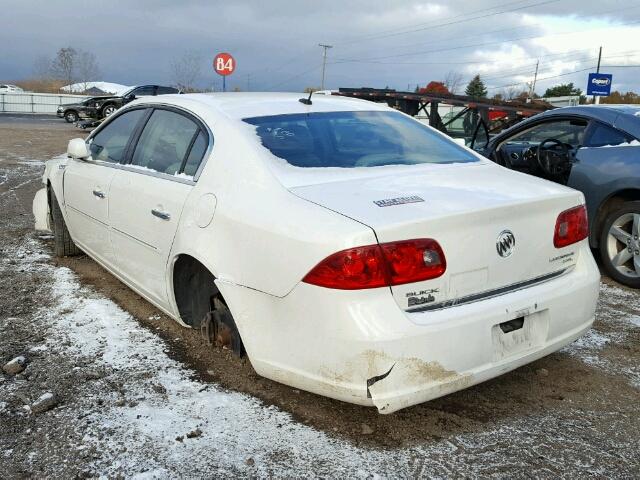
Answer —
471 212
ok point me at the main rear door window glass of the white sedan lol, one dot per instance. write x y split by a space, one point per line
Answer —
164 142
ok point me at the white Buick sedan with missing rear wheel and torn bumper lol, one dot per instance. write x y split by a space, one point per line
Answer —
346 248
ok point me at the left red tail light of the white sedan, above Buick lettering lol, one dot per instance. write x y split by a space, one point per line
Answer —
383 265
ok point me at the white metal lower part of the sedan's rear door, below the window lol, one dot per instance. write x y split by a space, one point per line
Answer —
144 215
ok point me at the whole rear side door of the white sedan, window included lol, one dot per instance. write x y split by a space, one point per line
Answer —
148 194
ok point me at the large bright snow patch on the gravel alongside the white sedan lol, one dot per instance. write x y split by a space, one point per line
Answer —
238 425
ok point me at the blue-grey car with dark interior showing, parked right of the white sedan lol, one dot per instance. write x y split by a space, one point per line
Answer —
594 149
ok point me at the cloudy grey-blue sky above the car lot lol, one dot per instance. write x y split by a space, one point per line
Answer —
376 43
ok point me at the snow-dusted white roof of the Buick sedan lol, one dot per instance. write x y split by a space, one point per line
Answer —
239 105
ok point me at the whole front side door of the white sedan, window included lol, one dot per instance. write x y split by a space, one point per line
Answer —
87 183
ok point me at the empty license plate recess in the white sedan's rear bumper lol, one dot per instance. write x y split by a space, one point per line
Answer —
519 334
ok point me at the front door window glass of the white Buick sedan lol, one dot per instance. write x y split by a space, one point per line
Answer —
110 143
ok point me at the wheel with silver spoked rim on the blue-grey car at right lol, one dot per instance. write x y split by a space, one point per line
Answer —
620 244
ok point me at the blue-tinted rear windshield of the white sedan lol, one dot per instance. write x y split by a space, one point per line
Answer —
355 139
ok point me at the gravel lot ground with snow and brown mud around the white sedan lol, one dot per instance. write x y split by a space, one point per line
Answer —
132 394
